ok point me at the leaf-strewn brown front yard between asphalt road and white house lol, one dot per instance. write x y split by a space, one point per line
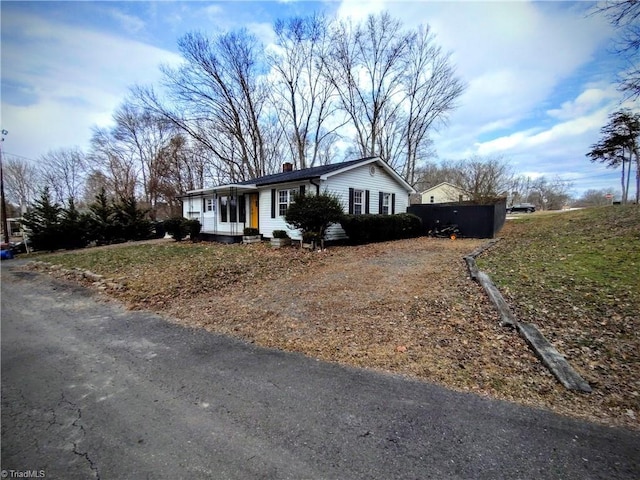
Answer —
406 307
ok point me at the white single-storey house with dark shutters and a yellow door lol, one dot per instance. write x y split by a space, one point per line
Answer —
366 185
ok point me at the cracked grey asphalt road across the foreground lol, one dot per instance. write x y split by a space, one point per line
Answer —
90 390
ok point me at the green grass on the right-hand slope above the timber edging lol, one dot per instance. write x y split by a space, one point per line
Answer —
586 258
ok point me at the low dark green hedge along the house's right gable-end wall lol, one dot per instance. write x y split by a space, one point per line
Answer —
380 228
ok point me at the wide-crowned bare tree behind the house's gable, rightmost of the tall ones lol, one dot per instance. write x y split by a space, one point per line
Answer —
395 85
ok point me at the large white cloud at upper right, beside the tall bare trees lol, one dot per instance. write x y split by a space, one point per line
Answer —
511 54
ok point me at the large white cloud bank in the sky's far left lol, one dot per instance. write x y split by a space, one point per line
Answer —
75 78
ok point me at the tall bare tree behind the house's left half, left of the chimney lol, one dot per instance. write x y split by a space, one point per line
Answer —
218 99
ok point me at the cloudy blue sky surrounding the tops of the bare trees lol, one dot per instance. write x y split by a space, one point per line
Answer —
540 75
